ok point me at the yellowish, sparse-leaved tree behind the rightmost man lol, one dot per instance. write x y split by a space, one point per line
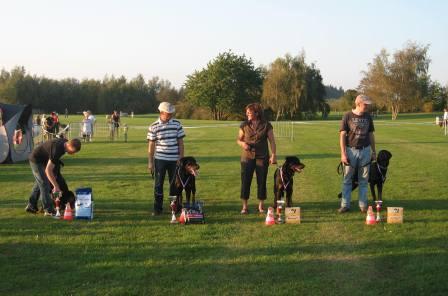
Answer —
400 84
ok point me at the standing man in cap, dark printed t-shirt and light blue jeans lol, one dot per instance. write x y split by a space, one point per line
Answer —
357 143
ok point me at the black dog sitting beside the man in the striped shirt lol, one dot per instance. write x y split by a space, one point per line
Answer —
185 179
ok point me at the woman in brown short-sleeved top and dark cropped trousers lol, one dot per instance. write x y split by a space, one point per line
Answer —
253 138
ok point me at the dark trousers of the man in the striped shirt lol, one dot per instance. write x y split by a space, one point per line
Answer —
160 169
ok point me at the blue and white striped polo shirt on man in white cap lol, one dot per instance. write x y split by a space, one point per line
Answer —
166 135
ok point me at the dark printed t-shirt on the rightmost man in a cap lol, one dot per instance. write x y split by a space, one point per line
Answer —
358 128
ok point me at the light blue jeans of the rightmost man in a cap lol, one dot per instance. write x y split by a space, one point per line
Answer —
359 159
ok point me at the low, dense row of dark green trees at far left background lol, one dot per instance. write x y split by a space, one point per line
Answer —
99 96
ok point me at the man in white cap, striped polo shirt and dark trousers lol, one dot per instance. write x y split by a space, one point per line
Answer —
165 147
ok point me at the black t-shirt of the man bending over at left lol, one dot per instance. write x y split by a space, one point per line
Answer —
53 149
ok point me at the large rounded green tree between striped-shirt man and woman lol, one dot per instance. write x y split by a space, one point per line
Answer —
225 86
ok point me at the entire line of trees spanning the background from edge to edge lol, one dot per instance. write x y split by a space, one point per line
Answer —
288 88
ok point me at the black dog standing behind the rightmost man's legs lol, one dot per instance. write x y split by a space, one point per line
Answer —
377 176
